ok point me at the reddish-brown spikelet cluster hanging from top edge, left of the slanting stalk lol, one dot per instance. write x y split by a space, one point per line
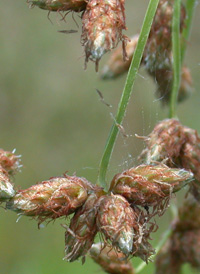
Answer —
102 23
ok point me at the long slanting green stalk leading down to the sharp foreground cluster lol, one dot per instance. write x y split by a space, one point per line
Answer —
136 60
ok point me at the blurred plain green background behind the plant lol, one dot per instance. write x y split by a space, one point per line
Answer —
51 113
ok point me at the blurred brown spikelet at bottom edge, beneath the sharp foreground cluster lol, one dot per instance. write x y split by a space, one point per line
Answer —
111 260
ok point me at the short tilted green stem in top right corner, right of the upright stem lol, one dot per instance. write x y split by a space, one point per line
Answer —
190 7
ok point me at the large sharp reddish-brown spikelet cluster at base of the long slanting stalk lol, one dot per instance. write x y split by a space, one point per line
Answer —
121 216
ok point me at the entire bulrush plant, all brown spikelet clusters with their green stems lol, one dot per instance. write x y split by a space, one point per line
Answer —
121 212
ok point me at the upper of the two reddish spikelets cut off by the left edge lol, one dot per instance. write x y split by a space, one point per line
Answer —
9 161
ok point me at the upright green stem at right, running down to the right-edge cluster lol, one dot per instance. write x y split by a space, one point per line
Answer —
176 53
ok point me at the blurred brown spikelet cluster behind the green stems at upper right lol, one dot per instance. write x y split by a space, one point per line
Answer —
157 58
